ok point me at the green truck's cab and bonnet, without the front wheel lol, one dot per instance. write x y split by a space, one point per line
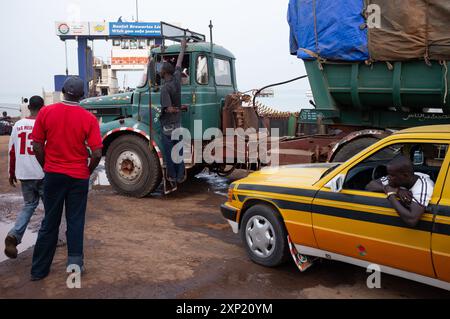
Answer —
207 78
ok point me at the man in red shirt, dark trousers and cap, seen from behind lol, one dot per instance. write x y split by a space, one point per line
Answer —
64 137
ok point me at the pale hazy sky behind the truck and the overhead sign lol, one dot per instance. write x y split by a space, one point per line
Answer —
256 31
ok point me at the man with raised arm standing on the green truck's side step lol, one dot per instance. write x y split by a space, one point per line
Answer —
171 118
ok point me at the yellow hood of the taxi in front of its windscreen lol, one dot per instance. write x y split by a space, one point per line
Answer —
289 175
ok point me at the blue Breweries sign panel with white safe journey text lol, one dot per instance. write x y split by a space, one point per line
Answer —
139 29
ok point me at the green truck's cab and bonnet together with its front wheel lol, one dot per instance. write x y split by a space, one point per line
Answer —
130 121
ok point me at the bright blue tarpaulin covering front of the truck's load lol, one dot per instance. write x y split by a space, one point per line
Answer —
330 29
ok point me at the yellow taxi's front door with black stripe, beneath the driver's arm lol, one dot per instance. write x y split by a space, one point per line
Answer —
363 225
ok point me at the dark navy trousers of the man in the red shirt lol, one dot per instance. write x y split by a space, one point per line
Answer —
61 190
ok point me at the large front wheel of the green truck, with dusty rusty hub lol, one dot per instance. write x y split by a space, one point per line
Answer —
131 167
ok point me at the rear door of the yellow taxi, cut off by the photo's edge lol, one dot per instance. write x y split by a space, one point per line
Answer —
440 238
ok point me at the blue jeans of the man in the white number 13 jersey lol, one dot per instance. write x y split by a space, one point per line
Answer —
32 190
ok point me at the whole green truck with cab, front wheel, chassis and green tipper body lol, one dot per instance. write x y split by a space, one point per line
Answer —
355 105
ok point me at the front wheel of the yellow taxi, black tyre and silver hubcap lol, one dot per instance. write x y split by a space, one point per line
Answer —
264 236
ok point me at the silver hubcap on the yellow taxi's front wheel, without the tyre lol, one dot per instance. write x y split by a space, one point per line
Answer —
260 236
